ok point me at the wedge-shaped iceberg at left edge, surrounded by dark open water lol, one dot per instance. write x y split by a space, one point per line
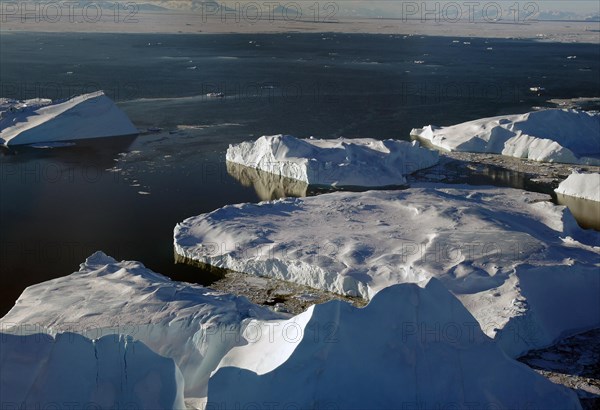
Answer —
92 115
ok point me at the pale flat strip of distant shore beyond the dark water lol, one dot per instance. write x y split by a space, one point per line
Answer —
196 23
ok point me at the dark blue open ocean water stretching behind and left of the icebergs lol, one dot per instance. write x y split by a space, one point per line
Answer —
124 197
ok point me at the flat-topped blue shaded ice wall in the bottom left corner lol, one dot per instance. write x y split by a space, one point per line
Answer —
44 372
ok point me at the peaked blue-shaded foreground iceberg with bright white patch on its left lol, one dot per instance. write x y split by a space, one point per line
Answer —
410 348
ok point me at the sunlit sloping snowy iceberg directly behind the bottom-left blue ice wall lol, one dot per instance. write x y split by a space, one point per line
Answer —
191 324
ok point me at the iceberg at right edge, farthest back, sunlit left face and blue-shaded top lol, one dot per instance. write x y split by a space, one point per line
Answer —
552 135
